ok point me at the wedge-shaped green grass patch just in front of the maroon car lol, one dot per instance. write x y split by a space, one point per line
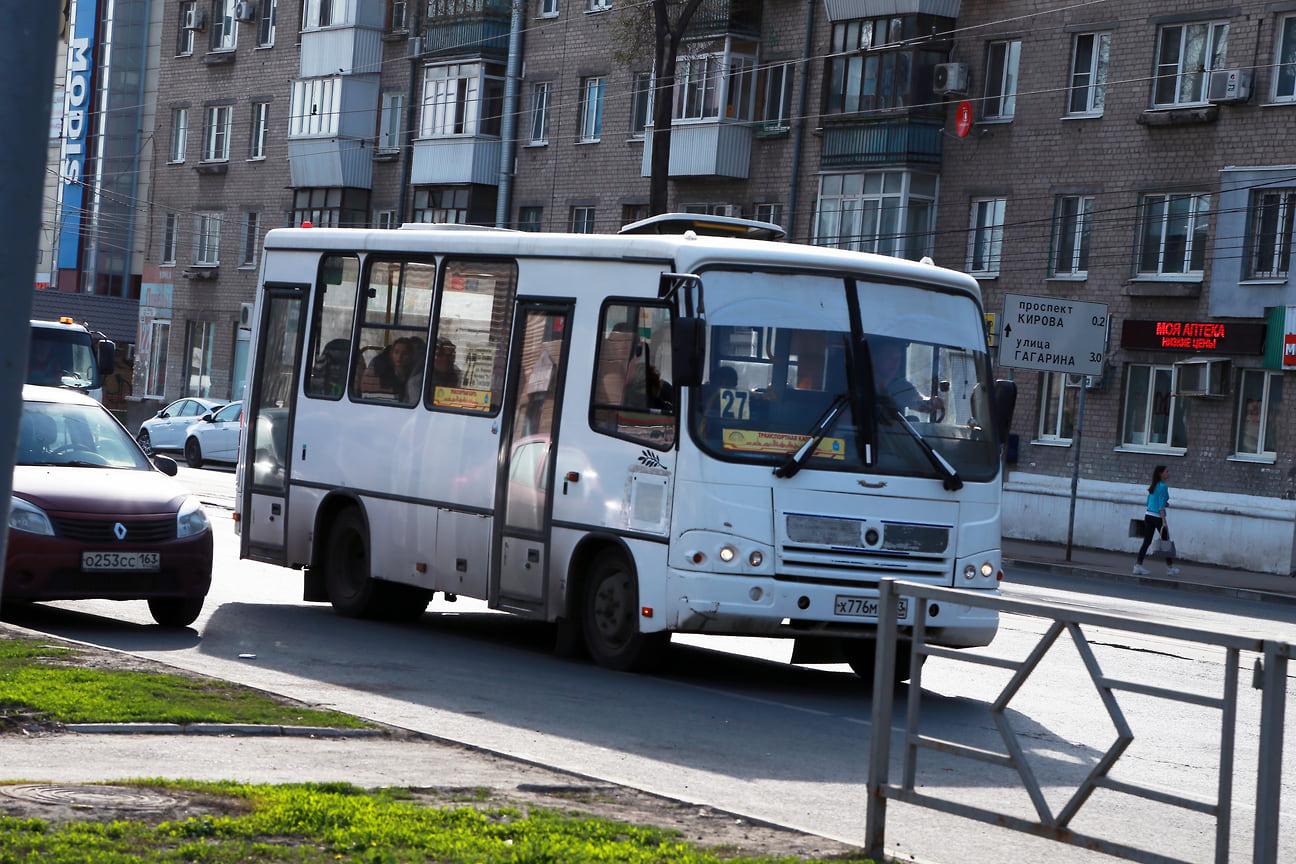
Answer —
43 679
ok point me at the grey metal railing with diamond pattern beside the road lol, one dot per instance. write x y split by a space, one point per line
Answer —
1271 679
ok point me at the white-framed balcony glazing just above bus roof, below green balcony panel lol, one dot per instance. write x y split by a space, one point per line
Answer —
888 213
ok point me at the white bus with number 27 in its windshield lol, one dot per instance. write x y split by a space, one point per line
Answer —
629 436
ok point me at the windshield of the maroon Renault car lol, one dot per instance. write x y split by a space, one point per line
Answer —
54 433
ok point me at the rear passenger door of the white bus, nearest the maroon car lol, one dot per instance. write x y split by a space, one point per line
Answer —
268 423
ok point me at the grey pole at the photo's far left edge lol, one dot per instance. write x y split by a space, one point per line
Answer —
27 72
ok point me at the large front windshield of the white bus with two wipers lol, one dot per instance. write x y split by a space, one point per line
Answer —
778 378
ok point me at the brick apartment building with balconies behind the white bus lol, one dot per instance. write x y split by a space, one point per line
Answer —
1110 153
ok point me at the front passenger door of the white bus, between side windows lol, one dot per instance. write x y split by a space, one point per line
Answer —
532 409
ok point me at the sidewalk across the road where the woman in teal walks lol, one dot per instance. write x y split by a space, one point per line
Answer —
1106 565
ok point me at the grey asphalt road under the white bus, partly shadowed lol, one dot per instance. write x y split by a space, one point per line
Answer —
730 723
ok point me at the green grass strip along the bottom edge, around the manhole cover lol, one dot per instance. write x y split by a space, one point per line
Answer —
317 823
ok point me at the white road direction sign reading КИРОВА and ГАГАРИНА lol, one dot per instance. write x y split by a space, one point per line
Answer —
1053 335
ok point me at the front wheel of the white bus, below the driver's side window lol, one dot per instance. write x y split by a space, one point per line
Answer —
611 620
